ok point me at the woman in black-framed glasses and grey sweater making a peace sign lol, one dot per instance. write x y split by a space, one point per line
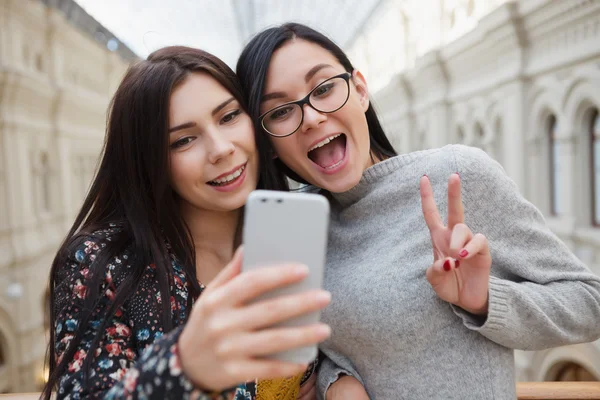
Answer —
409 325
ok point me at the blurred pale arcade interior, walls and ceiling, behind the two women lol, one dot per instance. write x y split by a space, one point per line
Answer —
520 79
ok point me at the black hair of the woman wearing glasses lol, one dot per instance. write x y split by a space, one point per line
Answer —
252 68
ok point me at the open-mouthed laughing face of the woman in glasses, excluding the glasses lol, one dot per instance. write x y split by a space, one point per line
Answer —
328 150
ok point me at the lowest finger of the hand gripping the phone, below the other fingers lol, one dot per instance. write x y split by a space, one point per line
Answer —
241 370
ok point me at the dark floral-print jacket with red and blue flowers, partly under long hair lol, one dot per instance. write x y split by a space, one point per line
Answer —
135 359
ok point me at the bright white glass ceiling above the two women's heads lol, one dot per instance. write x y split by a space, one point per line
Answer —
222 27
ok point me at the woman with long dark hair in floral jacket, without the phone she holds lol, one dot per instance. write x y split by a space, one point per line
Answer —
130 315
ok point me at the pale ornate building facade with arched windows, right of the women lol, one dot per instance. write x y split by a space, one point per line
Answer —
521 80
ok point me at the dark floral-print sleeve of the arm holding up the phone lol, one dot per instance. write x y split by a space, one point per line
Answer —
115 372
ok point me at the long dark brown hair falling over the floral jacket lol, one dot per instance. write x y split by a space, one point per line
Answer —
131 189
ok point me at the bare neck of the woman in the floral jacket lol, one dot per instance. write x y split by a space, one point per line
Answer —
213 233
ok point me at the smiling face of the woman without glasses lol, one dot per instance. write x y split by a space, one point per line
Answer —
213 159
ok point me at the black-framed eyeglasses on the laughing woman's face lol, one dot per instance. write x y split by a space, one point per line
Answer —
329 96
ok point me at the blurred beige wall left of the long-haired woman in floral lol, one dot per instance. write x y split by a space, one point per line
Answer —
55 85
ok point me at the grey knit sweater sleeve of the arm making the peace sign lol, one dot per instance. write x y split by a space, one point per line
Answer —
540 294
